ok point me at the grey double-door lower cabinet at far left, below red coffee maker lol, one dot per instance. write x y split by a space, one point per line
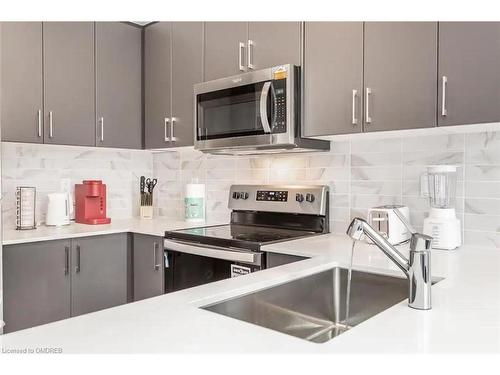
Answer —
53 280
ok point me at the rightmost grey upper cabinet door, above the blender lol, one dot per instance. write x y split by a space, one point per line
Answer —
469 59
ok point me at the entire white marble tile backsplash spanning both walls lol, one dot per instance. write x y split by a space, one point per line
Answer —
362 171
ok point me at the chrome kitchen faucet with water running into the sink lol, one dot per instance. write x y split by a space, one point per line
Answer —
417 269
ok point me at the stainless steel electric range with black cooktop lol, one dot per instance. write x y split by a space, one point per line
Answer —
261 215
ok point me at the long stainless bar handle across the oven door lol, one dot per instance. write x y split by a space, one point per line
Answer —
210 251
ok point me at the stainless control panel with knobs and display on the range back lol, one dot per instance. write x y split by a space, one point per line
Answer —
309 199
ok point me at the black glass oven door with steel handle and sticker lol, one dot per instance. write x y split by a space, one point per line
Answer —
188 265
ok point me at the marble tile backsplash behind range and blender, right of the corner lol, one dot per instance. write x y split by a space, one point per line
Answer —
361 173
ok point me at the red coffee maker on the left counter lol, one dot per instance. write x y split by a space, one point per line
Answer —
90 203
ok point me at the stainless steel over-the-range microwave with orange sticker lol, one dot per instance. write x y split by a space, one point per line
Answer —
252 113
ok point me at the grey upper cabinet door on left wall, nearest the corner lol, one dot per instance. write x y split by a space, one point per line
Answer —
118 85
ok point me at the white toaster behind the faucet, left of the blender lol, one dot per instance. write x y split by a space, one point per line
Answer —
385 221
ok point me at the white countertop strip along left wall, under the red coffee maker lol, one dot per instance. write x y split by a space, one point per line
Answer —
154 227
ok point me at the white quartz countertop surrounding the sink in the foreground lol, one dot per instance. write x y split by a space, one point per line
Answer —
465 315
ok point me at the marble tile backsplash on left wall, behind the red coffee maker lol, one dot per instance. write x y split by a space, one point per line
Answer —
43 166
